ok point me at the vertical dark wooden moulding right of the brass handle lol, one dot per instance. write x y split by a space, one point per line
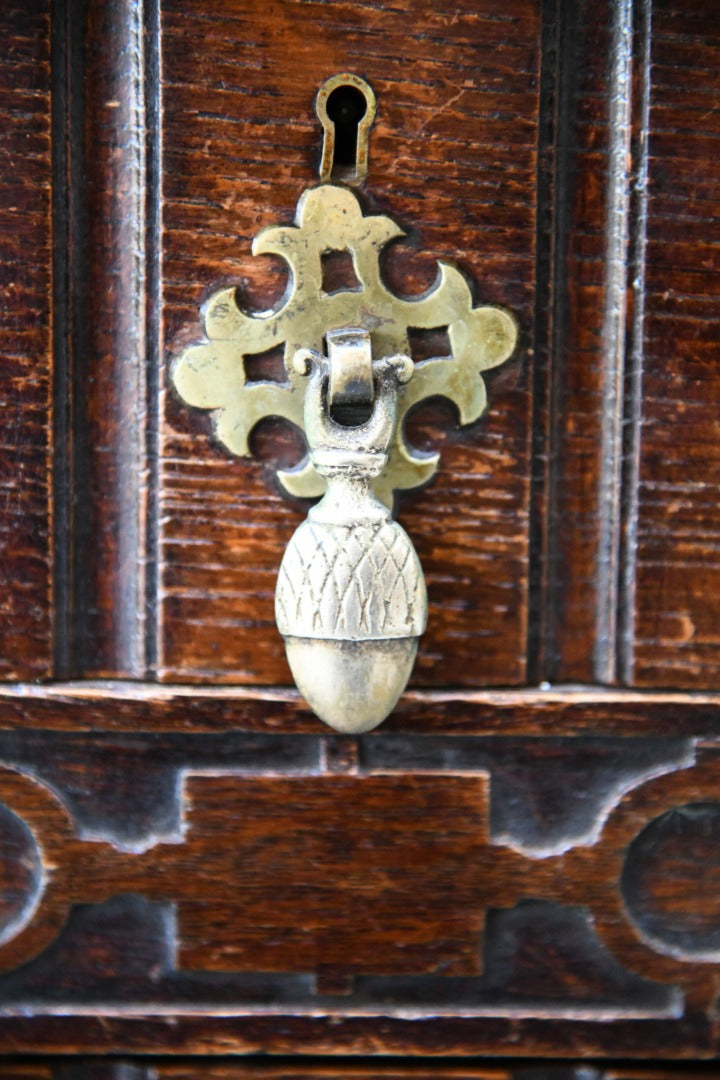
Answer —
591 142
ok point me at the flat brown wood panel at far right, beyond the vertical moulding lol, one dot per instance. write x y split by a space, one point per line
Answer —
677 623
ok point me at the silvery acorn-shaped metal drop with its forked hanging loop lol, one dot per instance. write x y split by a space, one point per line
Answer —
351 600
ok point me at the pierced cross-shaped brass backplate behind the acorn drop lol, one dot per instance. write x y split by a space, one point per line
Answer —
212 375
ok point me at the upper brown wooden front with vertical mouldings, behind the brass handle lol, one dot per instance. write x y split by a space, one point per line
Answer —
549 154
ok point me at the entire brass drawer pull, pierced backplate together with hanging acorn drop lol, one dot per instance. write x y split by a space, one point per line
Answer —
351 597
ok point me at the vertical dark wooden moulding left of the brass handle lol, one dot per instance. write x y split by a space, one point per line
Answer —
107 368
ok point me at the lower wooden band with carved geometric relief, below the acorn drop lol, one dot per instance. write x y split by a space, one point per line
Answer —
392 894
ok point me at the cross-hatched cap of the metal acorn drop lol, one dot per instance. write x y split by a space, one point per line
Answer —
350 584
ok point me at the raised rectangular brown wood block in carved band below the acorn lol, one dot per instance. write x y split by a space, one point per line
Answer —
388 885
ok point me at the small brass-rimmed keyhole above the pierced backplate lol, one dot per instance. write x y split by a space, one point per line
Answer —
346 107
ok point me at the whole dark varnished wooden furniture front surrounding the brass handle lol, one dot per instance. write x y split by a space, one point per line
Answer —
508 872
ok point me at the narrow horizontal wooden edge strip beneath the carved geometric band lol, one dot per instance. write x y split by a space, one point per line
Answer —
286 1034
